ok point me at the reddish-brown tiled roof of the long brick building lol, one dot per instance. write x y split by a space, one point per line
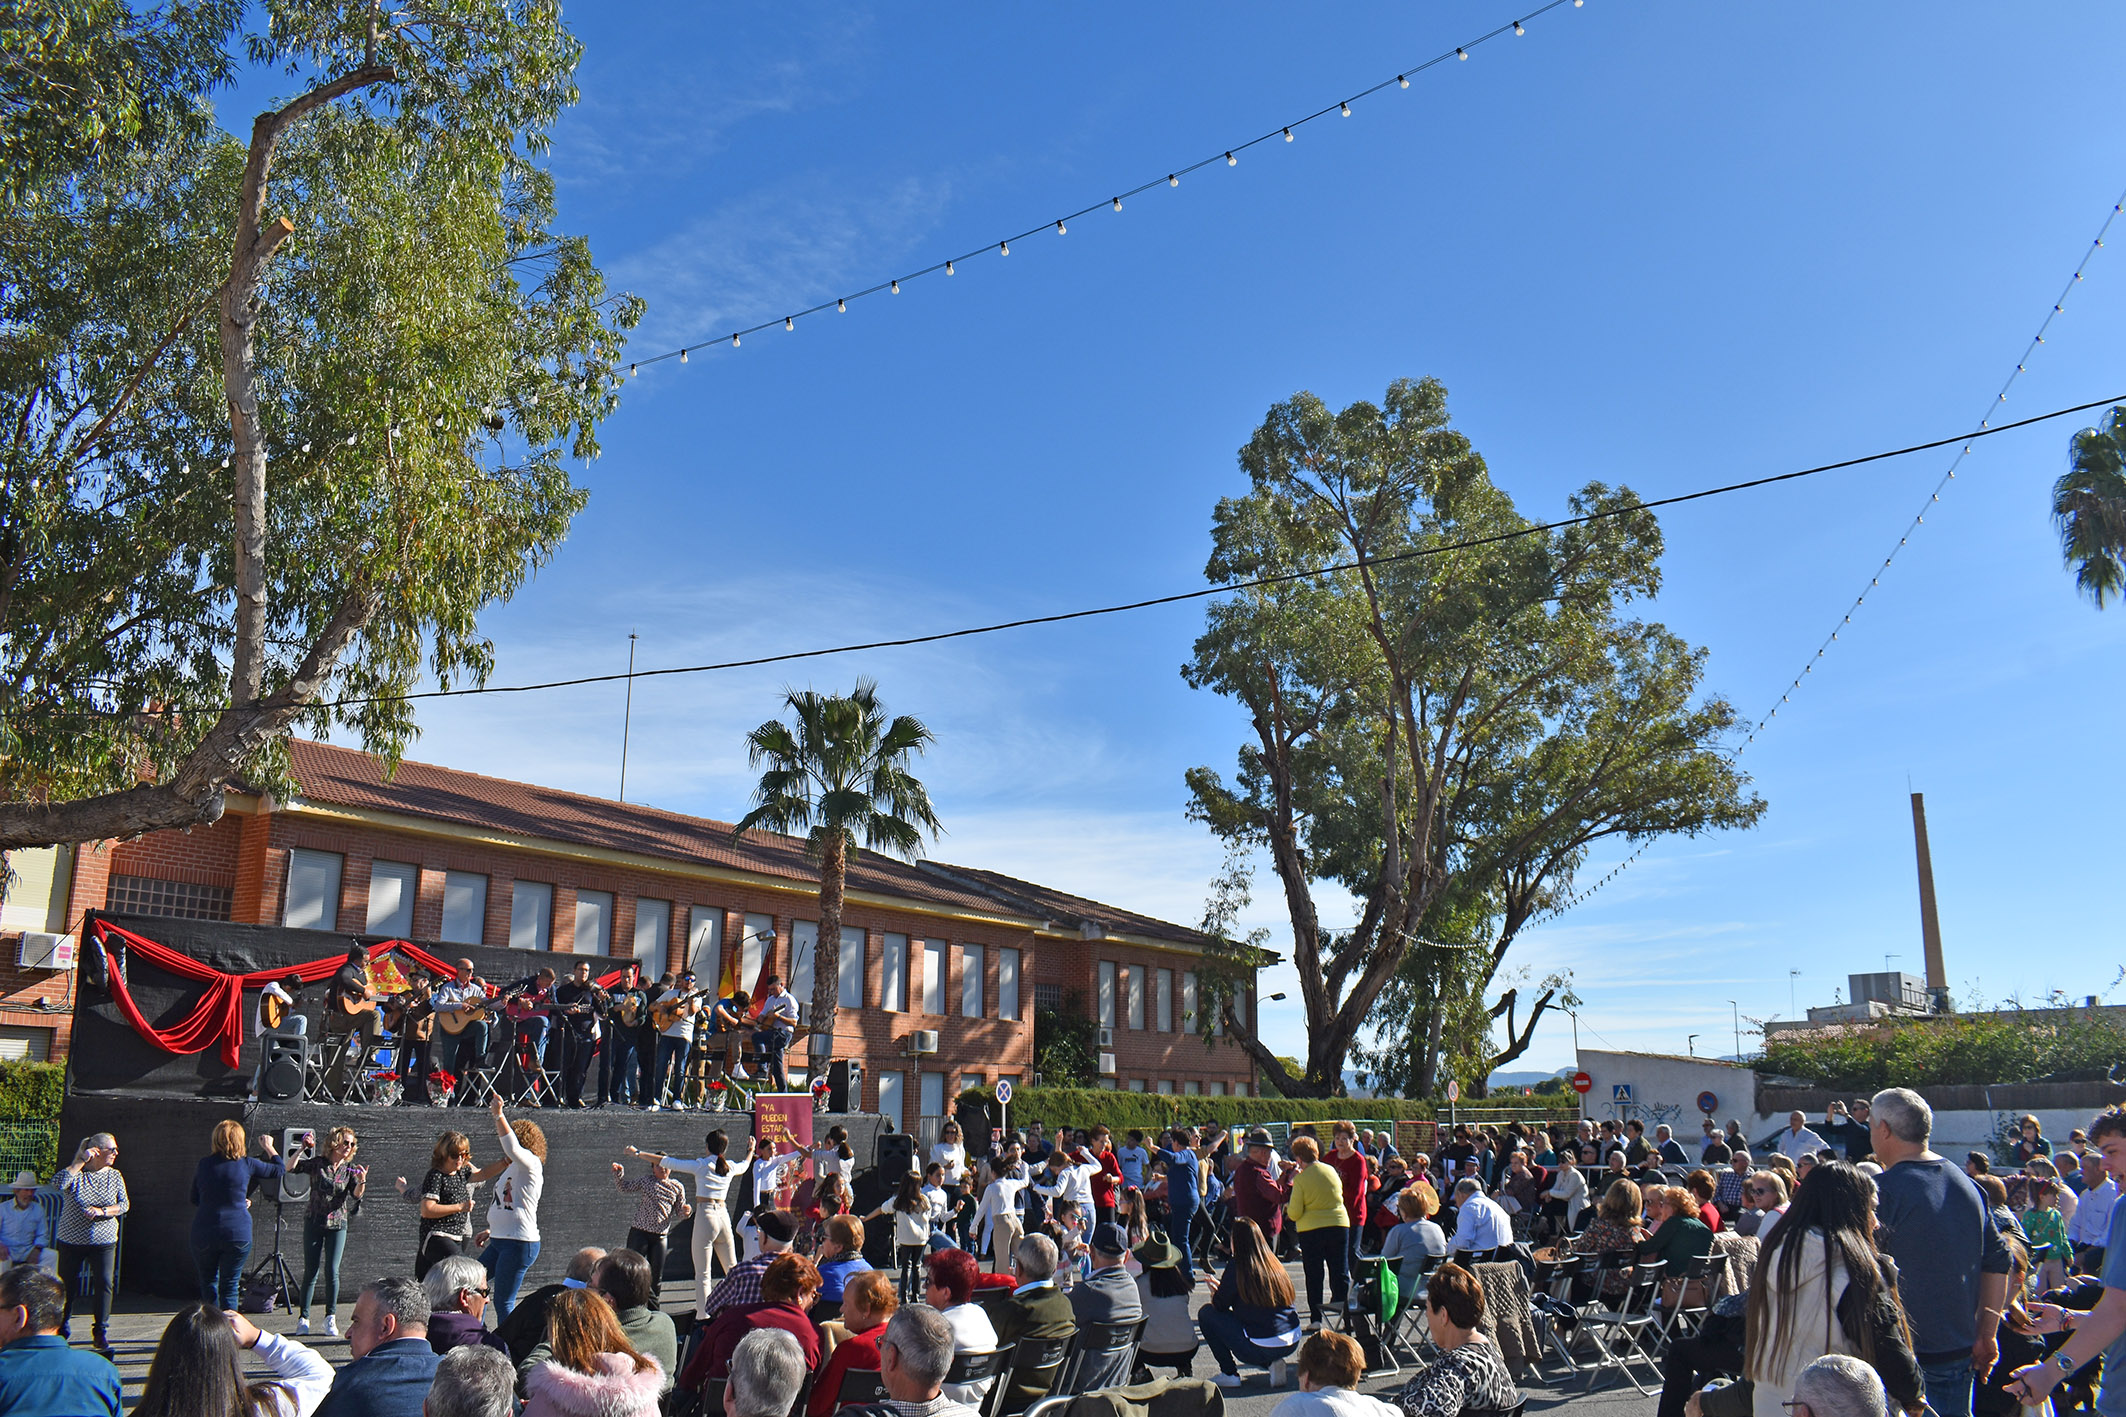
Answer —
350 779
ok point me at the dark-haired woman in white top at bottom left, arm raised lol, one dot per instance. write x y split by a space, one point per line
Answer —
199 1371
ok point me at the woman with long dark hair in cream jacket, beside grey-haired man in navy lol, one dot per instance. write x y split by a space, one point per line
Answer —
1823 1288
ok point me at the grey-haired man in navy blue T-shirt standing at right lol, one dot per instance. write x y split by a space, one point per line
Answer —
1951 1261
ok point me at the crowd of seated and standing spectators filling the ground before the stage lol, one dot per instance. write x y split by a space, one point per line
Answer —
1957 1288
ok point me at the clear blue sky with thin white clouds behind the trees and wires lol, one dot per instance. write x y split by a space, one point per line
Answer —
1647 243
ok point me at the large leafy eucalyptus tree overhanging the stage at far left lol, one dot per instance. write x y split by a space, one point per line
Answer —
282 413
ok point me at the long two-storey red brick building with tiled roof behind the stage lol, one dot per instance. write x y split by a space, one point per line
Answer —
448 857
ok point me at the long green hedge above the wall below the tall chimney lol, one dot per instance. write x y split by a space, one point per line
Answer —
1965 1048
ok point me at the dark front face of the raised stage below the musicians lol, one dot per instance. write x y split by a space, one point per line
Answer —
165 1138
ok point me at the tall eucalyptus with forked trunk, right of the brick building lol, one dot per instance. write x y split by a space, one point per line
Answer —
1447 706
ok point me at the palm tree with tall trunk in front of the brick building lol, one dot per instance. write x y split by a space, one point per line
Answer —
839 774
